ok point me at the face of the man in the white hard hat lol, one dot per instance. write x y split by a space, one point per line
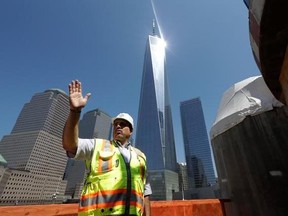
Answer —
121 131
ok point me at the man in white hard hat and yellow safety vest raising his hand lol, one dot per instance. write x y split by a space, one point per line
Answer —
116 179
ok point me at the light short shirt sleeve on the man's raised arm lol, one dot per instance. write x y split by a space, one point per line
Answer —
84 150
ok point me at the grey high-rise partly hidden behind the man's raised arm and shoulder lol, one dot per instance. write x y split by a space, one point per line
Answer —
94 124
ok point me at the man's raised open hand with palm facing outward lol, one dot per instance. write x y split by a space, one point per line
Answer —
76 99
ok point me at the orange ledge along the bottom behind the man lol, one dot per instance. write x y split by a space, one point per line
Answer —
209 207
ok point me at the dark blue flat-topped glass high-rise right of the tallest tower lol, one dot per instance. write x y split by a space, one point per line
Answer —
196 144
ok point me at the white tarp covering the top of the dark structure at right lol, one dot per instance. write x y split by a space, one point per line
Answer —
248 97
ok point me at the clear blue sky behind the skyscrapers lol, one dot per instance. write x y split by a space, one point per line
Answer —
46 43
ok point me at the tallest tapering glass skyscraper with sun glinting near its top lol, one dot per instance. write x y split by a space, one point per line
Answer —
155 136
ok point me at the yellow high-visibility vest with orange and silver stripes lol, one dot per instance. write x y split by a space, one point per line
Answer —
113 187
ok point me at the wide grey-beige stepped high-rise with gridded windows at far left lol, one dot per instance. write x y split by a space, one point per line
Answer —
34 148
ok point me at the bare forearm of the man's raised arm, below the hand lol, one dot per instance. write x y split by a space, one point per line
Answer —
70 132
